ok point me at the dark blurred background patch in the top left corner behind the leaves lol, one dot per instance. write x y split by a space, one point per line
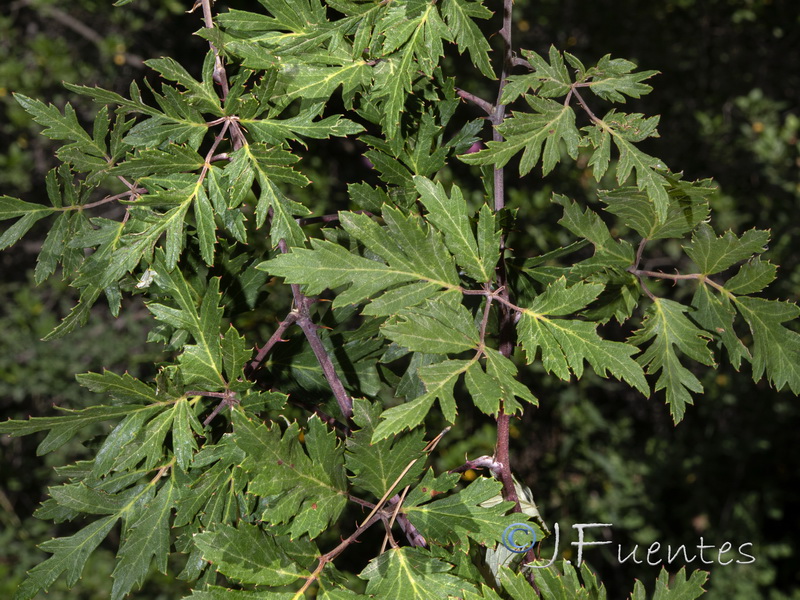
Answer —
44 45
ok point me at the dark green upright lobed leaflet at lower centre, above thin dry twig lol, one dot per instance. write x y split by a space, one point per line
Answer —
377 465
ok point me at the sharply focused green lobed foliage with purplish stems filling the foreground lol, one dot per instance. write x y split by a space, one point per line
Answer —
424 291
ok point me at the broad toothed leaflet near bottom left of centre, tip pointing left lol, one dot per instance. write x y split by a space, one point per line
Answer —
246 554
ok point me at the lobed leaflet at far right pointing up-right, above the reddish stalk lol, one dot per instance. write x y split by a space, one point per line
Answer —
715 254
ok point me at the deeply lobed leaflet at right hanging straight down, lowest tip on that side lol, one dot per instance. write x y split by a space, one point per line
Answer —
667 326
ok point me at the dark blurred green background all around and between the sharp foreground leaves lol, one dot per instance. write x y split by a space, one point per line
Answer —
593 452
